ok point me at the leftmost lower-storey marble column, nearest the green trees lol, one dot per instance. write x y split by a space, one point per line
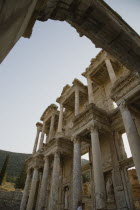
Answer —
26 191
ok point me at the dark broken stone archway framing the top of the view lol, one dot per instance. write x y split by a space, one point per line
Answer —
92 18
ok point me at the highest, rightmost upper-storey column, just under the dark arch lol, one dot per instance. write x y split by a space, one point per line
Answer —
110 70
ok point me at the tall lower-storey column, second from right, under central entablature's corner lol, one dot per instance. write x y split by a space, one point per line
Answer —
99 183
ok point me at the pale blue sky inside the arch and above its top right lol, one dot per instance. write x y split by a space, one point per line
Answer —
33 74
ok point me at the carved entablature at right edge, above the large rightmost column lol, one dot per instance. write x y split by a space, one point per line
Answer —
125 87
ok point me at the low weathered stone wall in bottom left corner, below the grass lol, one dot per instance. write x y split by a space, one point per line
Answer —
10 200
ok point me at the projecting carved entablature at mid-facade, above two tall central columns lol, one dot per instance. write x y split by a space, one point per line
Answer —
91 113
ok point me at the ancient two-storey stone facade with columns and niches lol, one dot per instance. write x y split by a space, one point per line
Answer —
87 122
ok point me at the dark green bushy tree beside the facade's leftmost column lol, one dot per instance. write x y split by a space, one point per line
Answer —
20 181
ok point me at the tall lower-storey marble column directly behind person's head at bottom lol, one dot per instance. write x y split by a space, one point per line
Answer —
77 180
